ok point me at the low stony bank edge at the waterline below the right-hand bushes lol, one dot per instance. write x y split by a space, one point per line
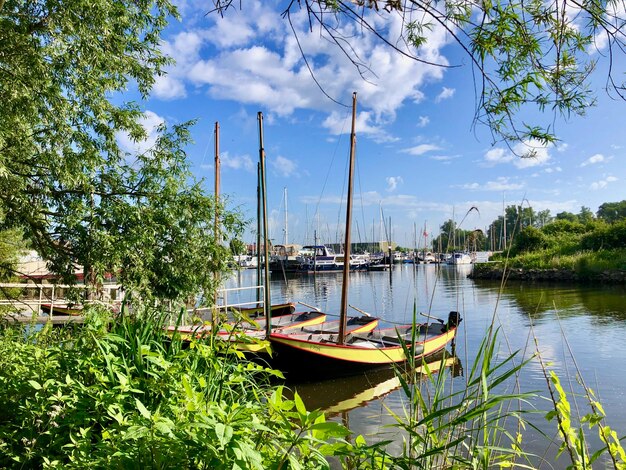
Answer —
496 271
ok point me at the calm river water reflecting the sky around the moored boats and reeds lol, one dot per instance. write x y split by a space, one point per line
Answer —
580 329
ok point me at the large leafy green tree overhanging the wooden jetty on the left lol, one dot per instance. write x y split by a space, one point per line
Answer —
79 197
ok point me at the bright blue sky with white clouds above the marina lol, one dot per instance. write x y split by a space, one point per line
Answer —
419 159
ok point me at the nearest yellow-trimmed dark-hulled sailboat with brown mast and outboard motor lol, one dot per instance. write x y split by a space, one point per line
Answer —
326 354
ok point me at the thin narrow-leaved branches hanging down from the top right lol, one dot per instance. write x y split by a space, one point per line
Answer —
523 54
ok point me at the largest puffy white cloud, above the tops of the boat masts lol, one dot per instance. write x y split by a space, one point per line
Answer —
260 62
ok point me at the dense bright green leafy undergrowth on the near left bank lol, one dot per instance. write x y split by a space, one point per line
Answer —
118 394
